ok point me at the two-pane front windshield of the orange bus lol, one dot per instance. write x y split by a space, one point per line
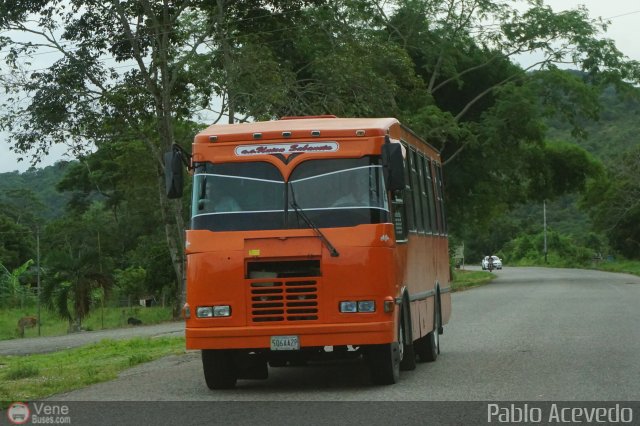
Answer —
254 195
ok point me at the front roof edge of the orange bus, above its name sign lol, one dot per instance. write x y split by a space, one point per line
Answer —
299 127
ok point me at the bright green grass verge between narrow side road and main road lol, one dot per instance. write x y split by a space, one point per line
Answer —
27 378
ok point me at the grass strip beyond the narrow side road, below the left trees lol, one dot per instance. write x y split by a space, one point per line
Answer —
52 325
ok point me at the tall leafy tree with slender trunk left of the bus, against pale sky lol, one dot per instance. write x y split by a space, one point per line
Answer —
83 98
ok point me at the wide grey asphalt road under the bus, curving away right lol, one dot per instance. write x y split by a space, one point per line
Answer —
532 334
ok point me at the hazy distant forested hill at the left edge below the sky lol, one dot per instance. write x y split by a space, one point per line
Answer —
34 191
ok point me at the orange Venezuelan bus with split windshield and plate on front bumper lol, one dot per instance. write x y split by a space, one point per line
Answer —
313 237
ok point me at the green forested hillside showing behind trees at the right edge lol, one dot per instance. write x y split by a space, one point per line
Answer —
616 131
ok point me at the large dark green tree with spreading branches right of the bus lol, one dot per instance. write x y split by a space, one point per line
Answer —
487 114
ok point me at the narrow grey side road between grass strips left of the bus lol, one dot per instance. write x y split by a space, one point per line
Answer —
34 345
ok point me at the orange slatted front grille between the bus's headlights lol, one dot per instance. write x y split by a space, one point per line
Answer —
284 300
